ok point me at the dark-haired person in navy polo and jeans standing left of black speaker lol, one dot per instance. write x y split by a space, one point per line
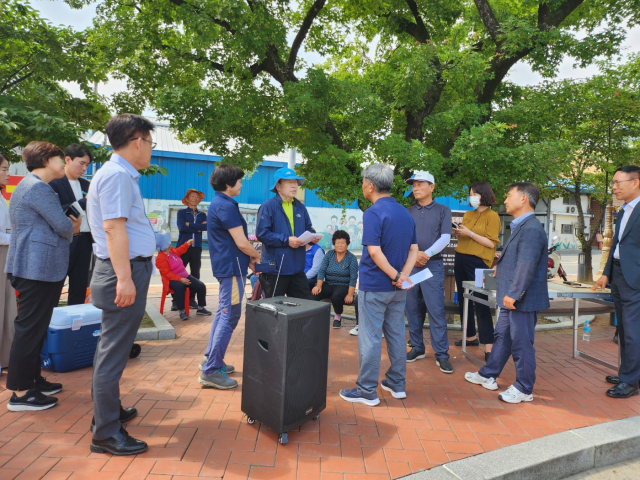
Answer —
231 254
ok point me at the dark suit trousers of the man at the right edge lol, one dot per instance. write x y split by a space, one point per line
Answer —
627 304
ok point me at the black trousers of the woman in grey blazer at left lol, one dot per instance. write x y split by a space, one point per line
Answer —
36 301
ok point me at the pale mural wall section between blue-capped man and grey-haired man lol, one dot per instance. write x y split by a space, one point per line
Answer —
327 220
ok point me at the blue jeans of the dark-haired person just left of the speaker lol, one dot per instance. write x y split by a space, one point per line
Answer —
225 321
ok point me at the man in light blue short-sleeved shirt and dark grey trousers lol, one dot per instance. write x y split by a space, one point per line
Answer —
124 247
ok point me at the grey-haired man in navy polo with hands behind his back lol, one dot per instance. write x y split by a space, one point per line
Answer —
391 250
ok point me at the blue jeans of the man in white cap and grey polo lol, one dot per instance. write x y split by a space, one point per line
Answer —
428 296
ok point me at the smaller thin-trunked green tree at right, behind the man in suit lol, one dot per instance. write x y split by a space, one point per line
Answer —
589 127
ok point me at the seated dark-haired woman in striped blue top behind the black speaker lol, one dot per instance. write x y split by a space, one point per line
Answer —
337 276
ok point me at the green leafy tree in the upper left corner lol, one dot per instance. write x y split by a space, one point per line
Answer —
35 57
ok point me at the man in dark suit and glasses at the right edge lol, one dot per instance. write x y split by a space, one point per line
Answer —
622 271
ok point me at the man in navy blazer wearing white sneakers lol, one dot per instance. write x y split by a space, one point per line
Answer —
521 275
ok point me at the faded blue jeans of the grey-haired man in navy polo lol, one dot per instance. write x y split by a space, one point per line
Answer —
381 312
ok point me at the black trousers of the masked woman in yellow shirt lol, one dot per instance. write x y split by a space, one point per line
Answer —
465 271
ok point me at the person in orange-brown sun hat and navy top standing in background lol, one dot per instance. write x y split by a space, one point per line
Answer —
191 223
